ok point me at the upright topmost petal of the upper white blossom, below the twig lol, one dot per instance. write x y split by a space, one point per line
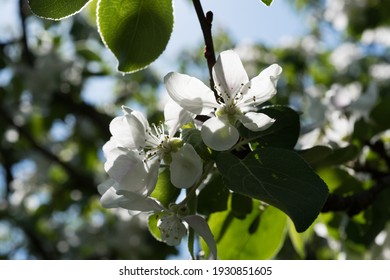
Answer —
229 73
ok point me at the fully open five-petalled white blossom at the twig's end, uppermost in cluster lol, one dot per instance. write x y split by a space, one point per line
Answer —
238 97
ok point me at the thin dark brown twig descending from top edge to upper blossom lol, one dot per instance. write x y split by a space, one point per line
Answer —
209 53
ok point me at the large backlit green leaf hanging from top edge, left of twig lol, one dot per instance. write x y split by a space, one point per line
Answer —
136 31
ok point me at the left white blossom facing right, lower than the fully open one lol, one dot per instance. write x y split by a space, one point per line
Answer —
136 150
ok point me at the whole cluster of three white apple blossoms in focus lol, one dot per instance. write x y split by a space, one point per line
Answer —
138 150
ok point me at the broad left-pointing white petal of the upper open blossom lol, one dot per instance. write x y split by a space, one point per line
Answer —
190 93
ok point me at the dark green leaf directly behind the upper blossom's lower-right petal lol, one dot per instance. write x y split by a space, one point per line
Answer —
283 133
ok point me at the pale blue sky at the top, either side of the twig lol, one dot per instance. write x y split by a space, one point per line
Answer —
245 20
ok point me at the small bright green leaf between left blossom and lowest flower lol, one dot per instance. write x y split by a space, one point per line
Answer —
164 191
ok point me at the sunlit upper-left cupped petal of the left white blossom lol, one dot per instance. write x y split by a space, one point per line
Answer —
129 130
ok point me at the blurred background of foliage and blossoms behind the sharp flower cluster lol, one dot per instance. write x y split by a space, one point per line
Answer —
59 90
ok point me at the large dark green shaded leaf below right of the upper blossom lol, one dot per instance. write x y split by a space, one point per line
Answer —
279 177
